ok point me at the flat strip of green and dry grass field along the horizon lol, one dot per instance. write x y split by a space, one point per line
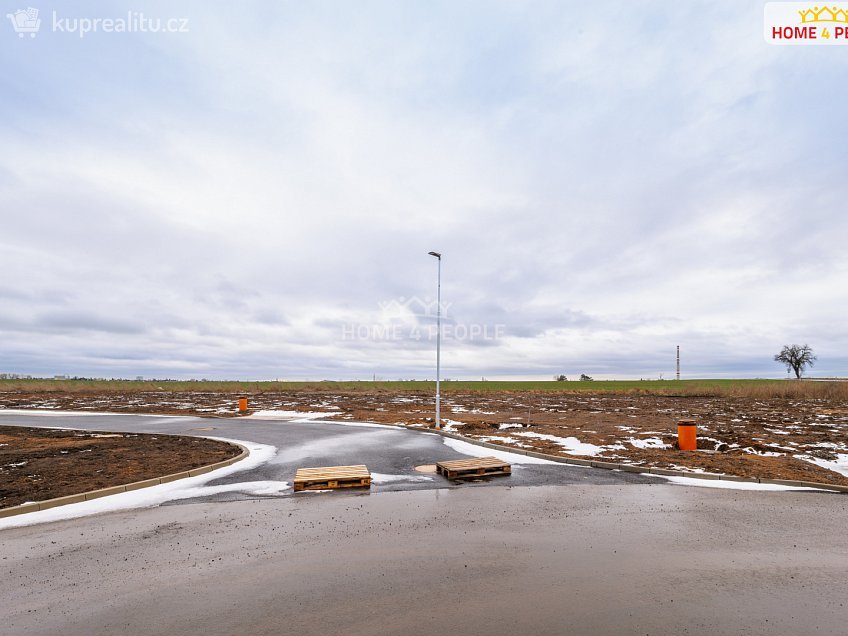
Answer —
749 388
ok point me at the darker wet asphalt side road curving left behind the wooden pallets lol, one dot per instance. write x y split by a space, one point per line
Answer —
384 450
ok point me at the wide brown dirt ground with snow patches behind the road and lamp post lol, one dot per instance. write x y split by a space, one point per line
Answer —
733 431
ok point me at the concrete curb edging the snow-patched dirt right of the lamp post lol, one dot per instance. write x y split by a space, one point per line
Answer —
630 468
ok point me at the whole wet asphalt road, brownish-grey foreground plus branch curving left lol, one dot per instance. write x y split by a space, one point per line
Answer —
570 557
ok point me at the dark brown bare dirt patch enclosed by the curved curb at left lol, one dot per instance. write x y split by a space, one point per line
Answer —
38 464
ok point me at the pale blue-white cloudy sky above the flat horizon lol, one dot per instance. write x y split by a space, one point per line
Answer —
256 198
